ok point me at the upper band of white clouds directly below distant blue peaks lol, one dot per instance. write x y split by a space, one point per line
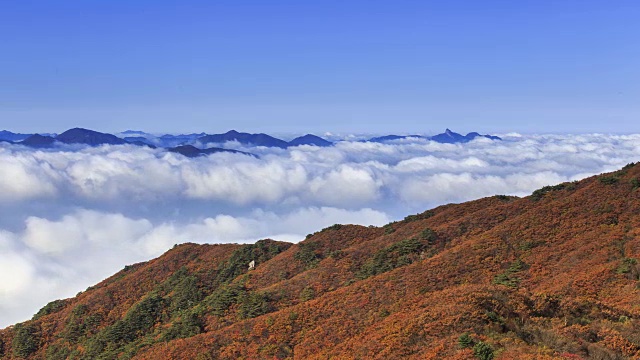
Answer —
350 174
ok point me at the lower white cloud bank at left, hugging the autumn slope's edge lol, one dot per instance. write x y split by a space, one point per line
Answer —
55 258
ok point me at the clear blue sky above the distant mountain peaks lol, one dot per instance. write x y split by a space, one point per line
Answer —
277 66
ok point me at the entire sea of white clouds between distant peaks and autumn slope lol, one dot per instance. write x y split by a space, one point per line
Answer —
72 216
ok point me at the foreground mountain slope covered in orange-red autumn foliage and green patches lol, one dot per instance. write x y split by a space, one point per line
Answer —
551 276
